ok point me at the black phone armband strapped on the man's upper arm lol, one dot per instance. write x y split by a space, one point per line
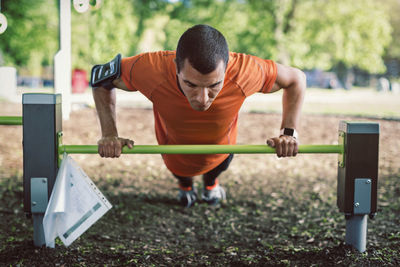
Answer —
104 75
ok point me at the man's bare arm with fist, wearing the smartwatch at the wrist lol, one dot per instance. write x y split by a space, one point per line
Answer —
293 82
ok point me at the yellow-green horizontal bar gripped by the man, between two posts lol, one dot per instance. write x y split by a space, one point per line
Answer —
202 149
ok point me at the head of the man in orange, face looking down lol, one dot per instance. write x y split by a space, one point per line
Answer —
201 59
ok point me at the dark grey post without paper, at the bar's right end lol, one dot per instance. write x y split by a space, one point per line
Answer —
358 178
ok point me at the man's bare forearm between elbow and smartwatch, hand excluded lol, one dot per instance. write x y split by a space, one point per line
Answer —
292 101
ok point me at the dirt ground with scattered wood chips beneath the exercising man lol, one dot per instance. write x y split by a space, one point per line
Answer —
279 212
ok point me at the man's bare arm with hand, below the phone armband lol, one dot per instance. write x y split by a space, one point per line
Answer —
110 145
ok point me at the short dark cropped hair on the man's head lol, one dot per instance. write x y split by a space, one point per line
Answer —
204 47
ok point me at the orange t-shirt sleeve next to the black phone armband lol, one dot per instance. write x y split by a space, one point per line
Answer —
136 73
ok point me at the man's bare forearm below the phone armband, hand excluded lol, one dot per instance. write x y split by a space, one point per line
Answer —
105 101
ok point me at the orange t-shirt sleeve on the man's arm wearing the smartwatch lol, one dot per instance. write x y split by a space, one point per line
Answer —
256 74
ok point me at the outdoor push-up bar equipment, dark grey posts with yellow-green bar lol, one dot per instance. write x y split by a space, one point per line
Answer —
42 148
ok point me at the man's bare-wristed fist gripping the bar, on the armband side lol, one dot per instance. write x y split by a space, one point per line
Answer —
111 147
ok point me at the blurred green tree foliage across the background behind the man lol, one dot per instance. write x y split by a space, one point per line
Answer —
304 33
